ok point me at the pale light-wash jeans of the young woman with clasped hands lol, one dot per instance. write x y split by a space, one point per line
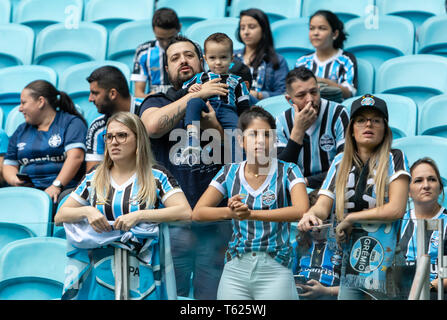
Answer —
256 276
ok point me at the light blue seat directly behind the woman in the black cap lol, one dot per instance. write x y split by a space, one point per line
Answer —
402 113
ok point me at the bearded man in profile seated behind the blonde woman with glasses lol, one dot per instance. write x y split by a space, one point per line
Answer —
110 93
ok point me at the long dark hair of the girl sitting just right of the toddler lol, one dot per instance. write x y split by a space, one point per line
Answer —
265 50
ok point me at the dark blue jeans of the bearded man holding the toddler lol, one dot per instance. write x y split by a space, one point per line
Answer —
199 250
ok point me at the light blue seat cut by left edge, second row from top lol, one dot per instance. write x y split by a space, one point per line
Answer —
16 45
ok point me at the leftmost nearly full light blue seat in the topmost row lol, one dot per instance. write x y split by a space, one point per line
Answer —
38 14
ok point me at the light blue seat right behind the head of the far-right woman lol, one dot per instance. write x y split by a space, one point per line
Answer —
425 146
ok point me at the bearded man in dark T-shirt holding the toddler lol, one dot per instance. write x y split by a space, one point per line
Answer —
197 248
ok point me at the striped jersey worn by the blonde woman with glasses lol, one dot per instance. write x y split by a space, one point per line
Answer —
122 198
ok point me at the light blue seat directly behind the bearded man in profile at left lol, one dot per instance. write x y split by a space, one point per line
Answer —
73 82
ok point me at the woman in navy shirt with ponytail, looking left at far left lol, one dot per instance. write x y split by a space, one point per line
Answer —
49 147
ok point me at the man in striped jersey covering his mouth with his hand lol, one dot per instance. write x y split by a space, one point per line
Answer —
312 132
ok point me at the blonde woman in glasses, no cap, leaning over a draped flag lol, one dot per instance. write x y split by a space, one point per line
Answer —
127 192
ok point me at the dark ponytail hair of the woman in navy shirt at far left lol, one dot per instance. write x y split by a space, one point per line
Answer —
56 99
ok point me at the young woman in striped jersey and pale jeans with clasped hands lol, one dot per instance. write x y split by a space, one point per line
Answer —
264 194
